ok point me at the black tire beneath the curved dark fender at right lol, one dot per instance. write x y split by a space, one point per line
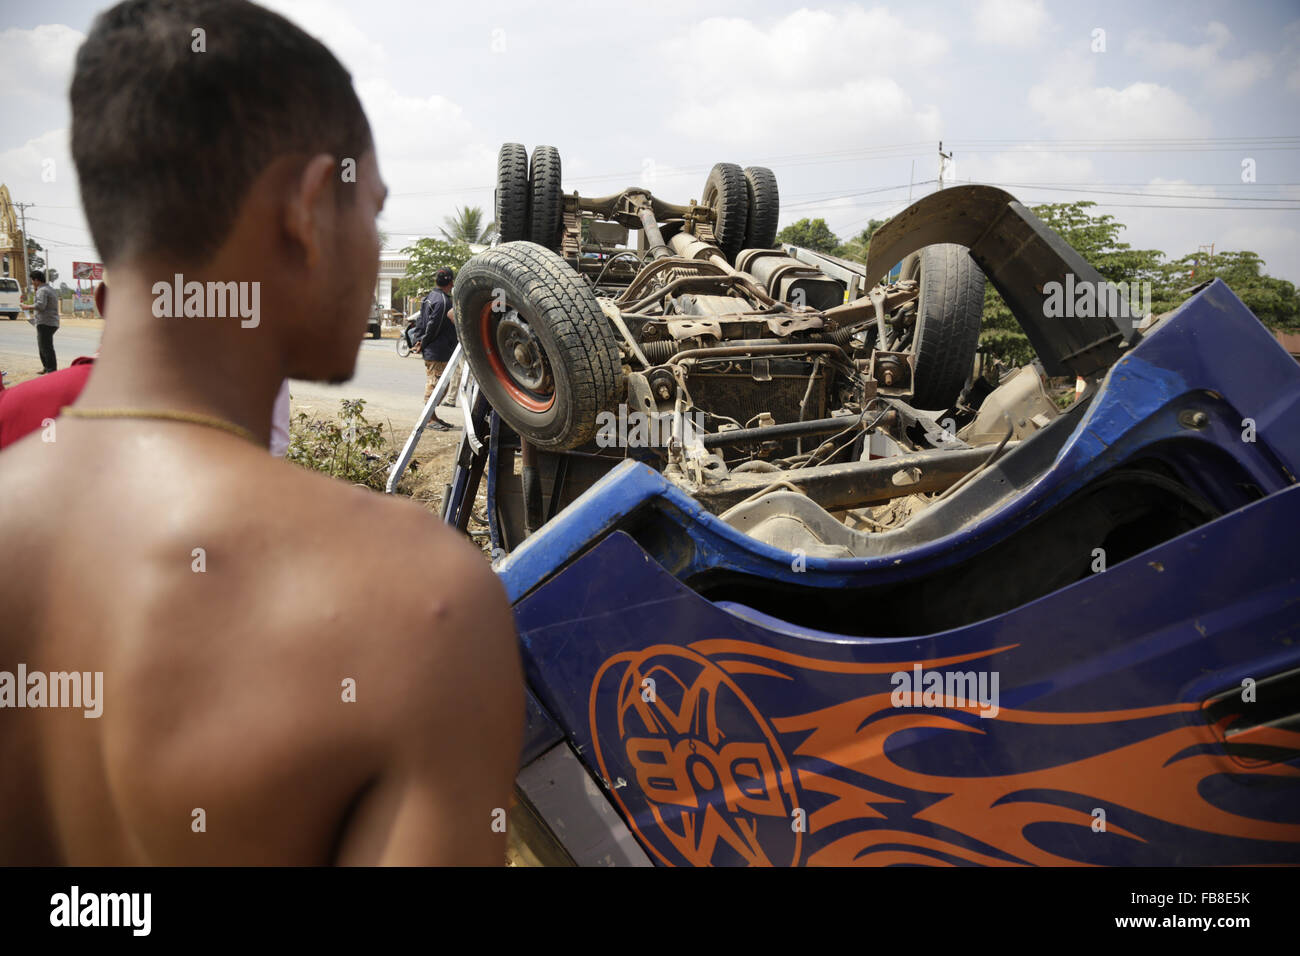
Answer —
950 313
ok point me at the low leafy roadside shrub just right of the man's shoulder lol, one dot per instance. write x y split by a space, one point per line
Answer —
350 448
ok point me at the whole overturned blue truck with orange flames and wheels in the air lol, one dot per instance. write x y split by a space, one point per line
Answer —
795 586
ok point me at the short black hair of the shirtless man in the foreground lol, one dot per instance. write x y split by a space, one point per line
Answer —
168 140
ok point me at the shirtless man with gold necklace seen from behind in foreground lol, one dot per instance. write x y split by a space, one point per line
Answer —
261 704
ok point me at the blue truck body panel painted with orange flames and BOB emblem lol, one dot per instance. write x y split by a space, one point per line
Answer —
759 741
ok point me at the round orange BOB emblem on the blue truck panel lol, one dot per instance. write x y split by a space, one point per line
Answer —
713 786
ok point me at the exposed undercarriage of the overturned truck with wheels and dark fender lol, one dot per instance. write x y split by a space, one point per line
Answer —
727 365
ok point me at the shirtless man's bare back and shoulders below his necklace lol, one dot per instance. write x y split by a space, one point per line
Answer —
226 599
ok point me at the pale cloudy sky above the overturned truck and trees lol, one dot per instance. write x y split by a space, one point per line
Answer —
1181 120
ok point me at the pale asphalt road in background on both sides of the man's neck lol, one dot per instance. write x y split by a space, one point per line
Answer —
393 387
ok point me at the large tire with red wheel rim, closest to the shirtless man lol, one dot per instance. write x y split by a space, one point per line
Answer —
538 343
